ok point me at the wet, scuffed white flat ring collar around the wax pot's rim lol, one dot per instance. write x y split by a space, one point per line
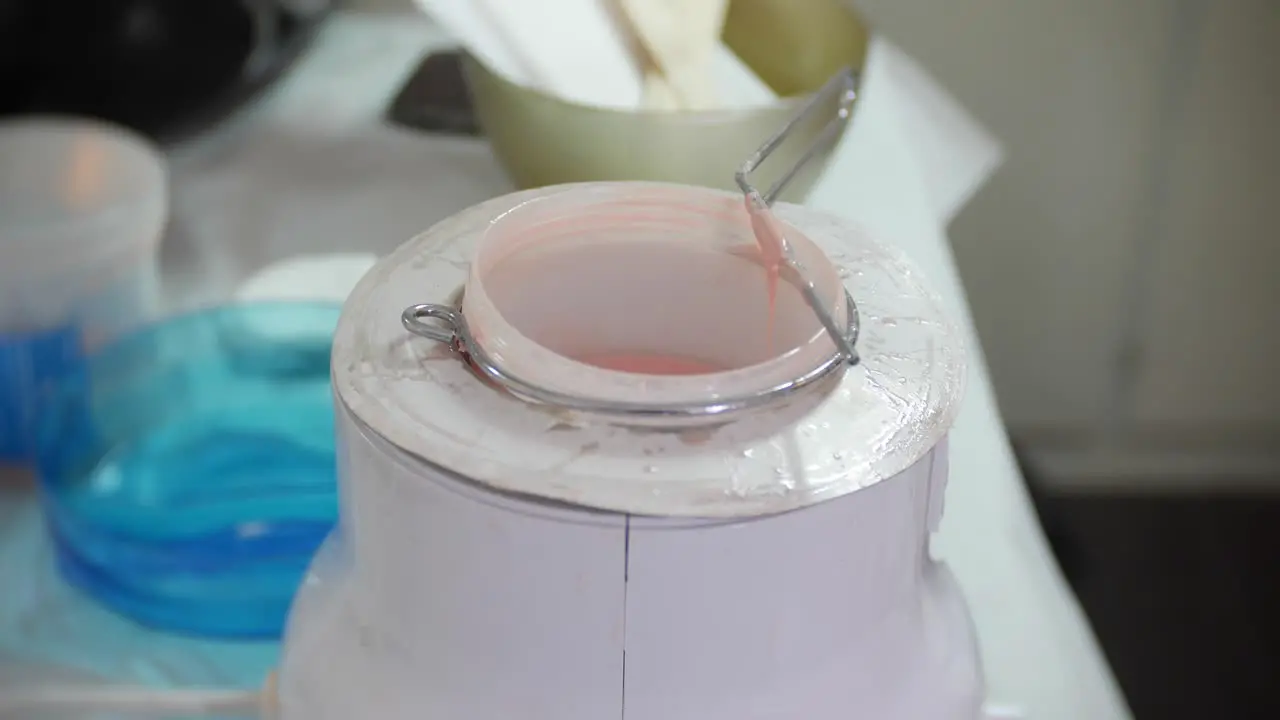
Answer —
879 418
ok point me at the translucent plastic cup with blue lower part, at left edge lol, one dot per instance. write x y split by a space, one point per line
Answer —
83 209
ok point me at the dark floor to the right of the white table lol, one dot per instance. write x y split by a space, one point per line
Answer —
1182 594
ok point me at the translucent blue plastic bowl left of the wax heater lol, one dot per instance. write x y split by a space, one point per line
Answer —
189 471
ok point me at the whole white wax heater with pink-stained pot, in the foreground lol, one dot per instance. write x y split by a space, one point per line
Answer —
529 536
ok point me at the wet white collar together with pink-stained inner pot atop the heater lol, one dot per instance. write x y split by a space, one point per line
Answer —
639 291
